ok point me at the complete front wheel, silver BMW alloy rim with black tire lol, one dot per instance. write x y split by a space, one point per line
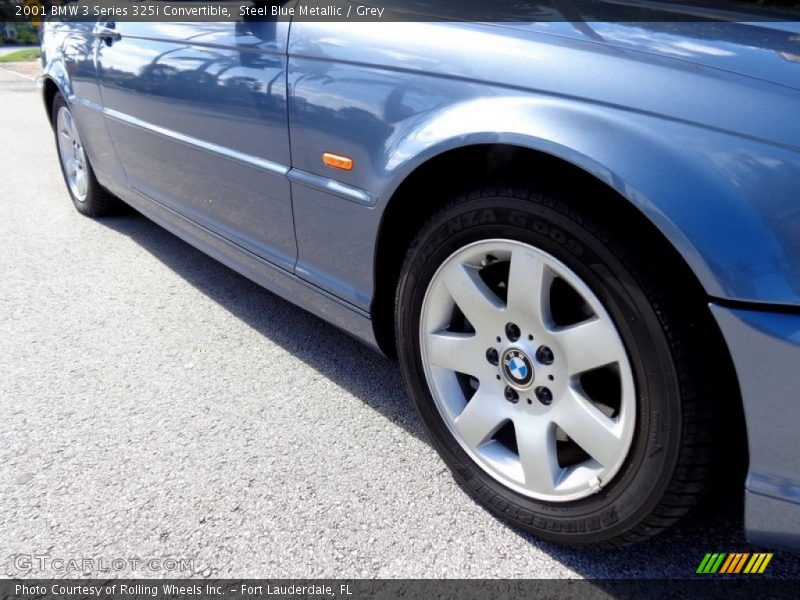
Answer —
542 353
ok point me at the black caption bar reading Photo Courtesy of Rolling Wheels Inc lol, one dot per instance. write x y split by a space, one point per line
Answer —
745 587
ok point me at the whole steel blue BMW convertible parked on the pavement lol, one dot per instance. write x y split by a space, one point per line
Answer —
581 239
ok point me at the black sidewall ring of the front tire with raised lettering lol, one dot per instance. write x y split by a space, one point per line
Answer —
637 488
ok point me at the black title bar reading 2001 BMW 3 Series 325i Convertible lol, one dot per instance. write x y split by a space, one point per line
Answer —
372 11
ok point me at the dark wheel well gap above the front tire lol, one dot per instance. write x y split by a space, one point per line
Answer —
437 181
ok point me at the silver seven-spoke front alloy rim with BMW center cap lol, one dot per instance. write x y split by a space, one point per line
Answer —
527 369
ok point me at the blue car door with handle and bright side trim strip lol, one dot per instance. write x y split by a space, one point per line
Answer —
197 113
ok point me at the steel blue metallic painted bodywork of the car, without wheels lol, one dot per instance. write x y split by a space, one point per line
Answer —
216 131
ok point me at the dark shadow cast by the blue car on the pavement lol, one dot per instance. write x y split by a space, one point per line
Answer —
714 526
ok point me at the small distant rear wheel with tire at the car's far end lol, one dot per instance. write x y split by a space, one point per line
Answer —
88 196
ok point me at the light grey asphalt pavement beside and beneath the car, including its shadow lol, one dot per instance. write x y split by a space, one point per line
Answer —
156 405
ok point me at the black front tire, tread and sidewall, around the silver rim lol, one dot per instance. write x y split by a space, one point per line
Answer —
667 466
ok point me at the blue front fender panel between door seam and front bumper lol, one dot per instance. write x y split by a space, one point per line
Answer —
393 110
